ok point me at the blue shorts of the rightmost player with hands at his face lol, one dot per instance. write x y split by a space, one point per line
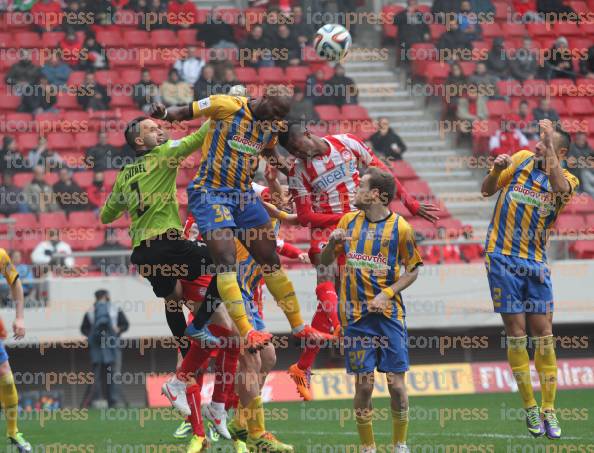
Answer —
519 285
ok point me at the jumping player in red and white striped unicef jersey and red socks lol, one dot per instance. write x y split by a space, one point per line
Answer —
323 182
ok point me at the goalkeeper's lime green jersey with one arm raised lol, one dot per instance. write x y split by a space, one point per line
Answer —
146 188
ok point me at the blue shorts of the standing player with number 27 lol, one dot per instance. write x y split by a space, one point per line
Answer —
376 342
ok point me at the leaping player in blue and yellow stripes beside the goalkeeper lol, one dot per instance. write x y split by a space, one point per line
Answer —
224 204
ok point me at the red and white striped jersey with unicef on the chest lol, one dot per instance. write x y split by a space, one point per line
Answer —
330 180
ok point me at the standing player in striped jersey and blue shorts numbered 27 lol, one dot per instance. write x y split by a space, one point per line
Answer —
374 242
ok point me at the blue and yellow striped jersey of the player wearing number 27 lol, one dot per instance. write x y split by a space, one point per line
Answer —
372 262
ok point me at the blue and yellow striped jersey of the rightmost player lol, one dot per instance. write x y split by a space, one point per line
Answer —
525 210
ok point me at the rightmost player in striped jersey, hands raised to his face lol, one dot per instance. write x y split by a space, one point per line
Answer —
533 188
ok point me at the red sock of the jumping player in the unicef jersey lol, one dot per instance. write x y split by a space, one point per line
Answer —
324 320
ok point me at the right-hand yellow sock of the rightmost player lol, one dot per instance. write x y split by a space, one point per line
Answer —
545 362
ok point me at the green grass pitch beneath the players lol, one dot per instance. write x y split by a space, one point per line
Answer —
463 423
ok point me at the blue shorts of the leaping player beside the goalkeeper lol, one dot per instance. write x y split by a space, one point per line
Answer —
214 209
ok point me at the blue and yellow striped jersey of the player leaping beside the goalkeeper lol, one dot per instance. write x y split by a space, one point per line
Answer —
233 143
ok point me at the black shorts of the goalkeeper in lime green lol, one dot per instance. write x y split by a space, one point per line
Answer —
169 257
